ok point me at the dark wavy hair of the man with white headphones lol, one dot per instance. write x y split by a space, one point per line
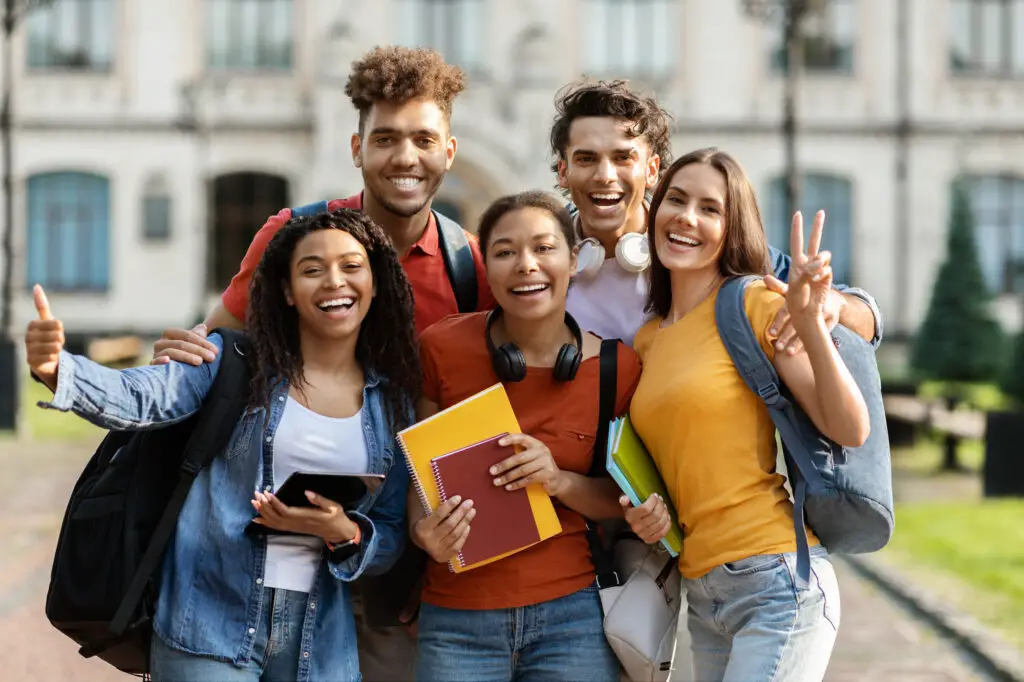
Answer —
615 100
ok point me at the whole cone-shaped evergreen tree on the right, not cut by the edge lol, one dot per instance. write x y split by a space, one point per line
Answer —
960 340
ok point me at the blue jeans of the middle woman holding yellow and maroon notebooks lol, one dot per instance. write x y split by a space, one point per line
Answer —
559 641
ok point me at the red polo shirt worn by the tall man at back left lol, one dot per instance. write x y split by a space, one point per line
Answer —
424 266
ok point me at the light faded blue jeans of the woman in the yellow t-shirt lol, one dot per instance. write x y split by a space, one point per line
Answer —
749 623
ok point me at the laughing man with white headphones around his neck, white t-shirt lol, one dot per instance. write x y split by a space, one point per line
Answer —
610 144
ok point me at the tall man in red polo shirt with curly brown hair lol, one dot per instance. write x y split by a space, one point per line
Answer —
404 148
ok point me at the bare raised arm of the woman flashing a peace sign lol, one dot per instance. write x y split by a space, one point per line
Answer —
818 377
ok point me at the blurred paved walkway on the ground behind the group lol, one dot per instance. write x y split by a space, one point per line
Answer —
878 642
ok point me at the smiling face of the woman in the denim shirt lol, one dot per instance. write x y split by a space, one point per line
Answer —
331 284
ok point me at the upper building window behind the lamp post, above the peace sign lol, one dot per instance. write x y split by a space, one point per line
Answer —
828 35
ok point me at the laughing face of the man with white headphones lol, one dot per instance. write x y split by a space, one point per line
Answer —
608 174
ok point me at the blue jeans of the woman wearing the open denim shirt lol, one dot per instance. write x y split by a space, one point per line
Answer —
276 653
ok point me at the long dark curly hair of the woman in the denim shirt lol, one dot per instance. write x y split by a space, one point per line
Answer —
388 343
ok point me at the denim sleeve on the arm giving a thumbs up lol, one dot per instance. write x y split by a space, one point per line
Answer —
138 399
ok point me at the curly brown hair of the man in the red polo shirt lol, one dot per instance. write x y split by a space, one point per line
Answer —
399 74
